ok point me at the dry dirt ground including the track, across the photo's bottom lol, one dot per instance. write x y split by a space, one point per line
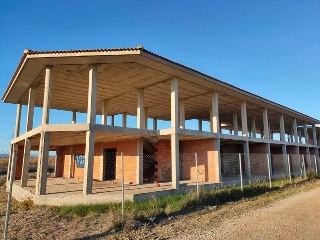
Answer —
289 217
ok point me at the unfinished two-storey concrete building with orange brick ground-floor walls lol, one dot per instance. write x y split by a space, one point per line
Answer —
136 82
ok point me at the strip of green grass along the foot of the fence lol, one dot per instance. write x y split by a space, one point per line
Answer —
175 204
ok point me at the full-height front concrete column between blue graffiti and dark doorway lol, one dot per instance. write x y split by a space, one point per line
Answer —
90 135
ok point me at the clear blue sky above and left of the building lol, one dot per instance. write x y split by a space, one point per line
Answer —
270 48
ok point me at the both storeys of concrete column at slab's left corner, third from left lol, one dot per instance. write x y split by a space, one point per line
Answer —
44 139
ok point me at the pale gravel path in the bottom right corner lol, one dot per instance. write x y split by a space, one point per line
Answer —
296 217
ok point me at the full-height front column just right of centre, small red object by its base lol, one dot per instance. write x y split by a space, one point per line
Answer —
174 134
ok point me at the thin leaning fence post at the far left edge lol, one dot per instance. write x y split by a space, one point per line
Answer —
12 177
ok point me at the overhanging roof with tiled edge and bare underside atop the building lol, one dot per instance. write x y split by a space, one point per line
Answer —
121 72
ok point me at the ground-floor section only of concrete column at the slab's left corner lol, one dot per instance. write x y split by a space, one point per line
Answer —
41 181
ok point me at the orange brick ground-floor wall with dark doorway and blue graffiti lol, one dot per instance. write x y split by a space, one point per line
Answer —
129 149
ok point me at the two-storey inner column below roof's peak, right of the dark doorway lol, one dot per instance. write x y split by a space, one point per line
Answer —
140 125
